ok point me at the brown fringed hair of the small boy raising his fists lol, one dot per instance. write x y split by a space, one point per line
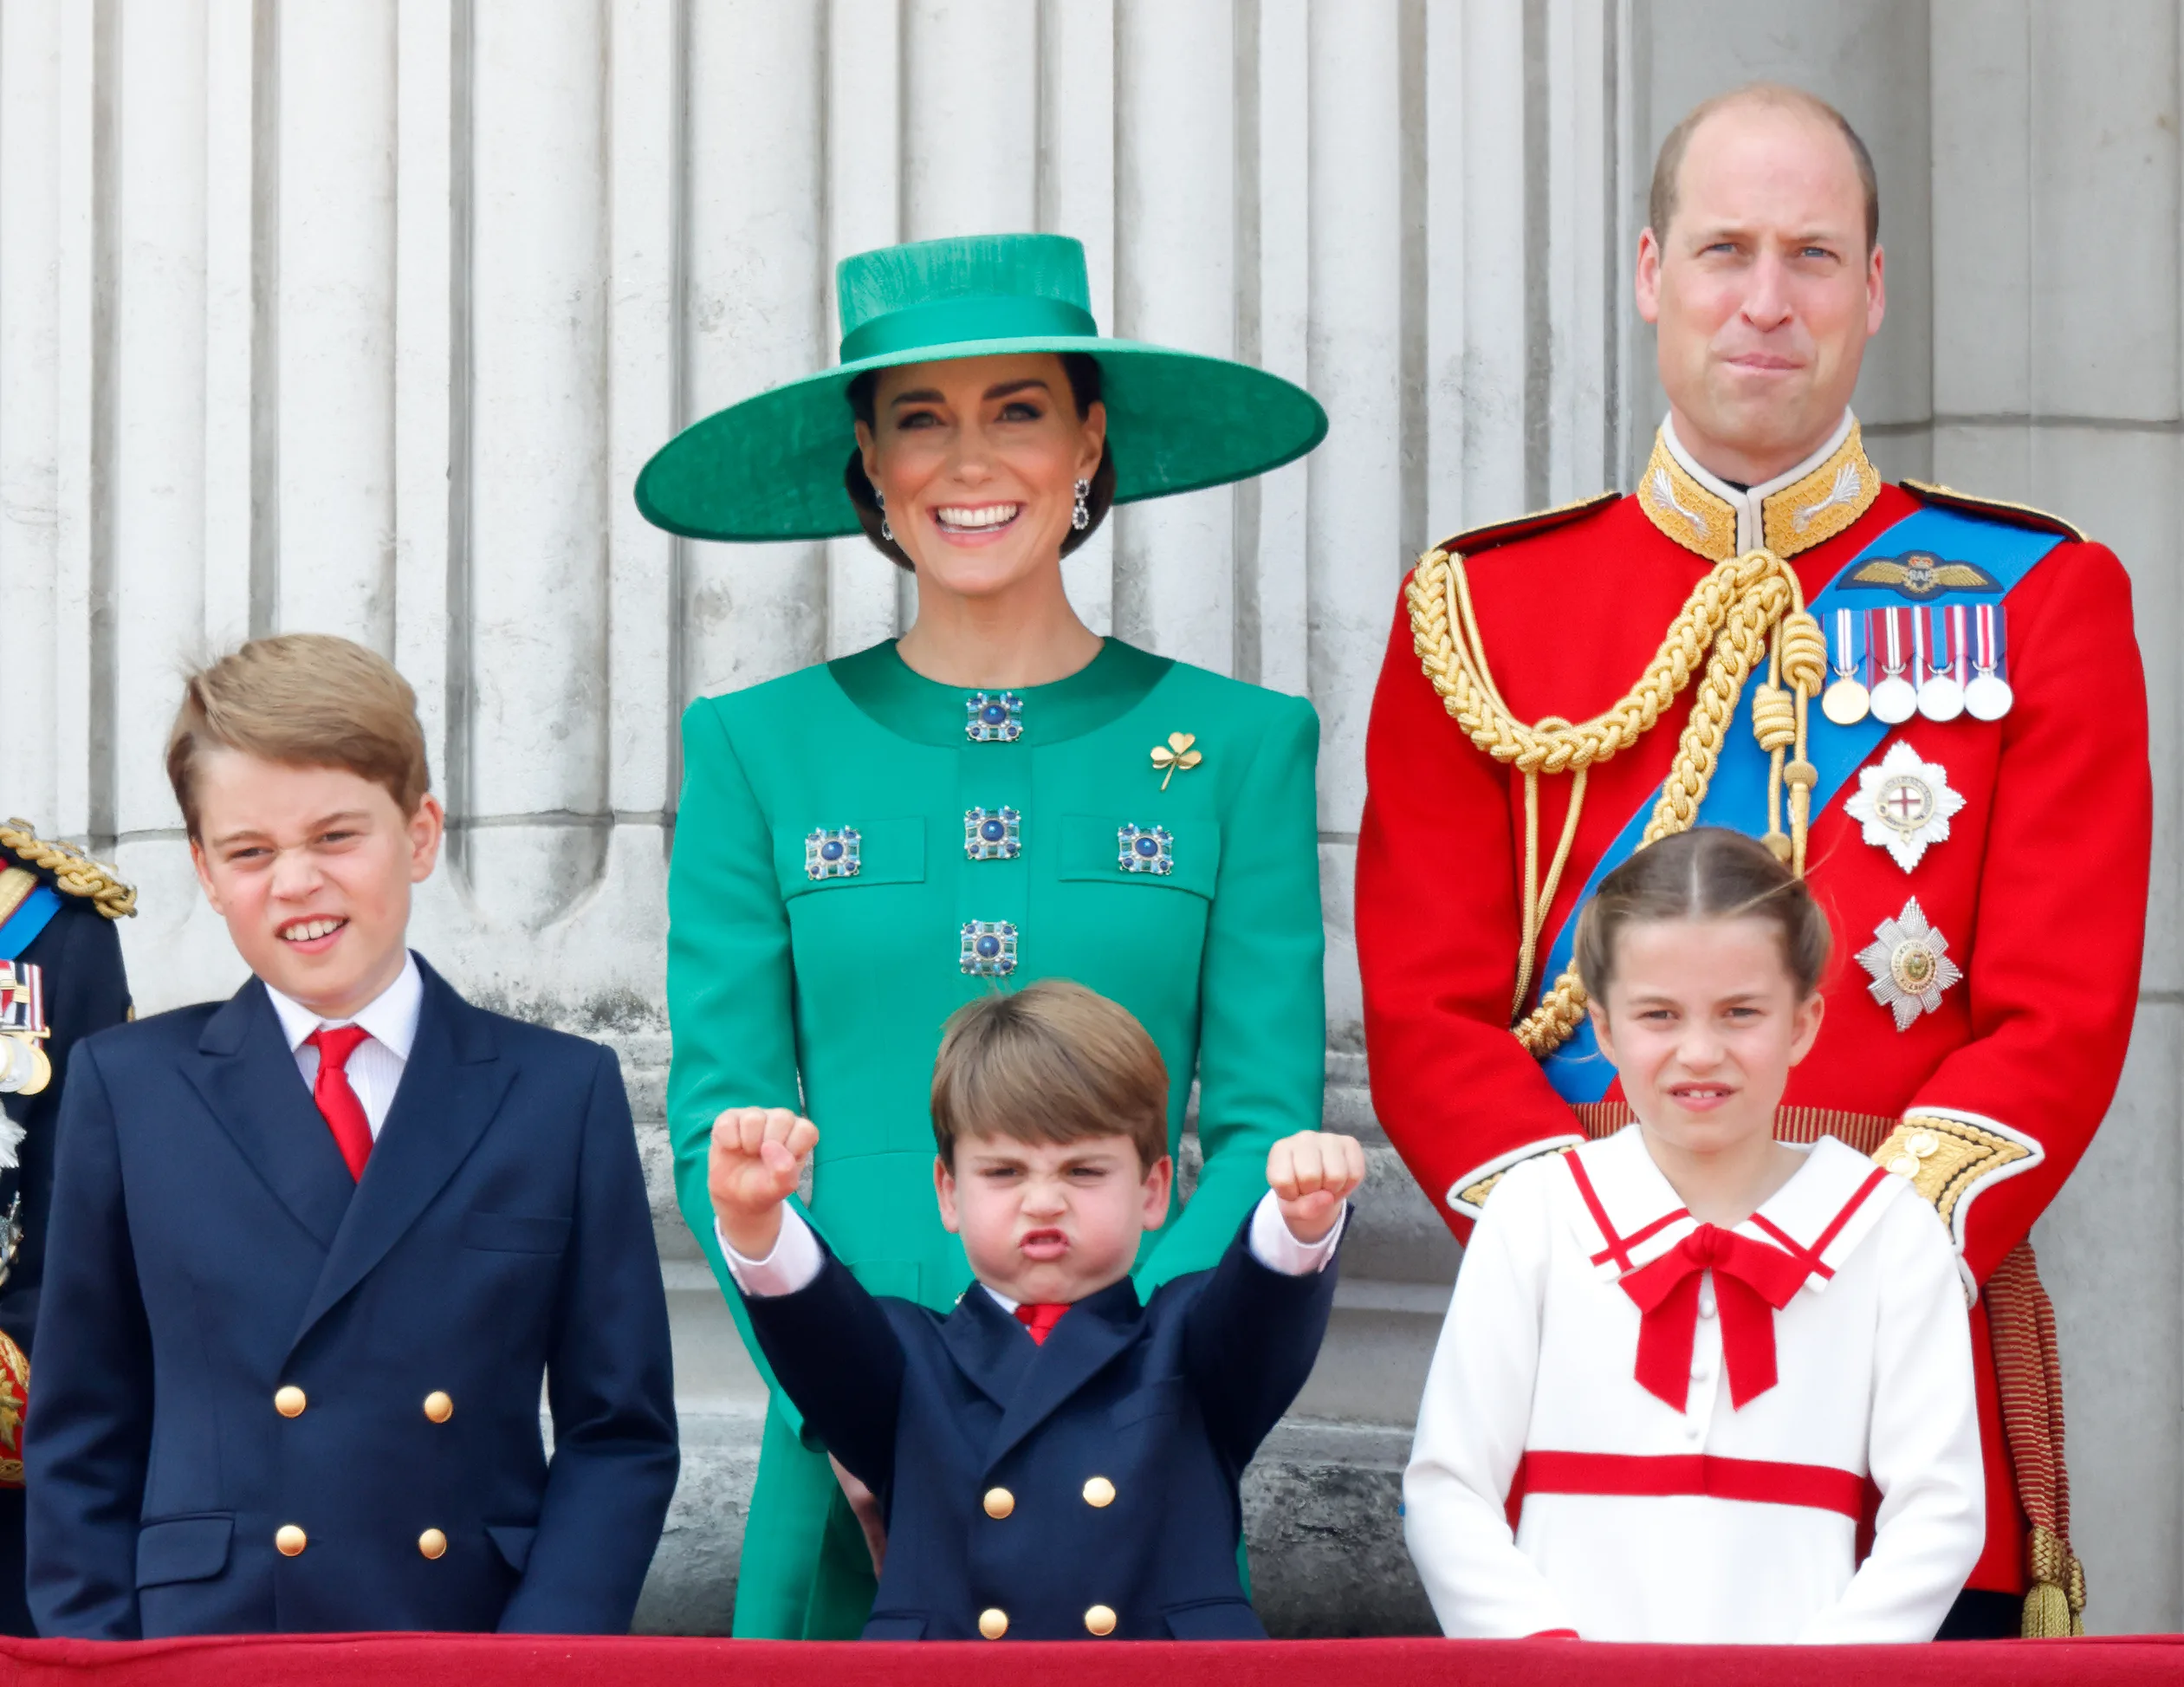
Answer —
1052 1063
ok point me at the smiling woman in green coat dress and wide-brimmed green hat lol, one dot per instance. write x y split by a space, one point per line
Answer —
999 797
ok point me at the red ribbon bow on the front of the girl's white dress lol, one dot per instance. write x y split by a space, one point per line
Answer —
1753 1282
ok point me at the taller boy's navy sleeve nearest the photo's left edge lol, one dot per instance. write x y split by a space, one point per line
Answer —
88 1435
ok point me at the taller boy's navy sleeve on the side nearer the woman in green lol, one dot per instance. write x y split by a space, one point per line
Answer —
610 1384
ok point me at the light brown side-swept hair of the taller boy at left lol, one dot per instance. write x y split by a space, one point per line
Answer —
307 700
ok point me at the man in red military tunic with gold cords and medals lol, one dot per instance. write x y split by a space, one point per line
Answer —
1930 705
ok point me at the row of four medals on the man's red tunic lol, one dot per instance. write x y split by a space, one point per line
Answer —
1934 659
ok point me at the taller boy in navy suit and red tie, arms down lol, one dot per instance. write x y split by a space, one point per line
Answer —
316 1249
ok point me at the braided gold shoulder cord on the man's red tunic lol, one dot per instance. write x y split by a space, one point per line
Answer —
1724 624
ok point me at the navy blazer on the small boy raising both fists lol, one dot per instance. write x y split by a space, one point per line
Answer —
1111 1454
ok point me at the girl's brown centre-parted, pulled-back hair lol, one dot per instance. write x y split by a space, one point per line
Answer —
1705 875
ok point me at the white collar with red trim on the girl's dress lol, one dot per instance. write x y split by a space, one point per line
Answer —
1823 1214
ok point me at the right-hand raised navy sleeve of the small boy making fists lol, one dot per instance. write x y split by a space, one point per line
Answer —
1250 1341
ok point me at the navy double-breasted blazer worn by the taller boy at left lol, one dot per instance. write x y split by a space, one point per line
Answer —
211 1249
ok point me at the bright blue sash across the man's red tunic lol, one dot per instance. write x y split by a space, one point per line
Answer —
1737 794
